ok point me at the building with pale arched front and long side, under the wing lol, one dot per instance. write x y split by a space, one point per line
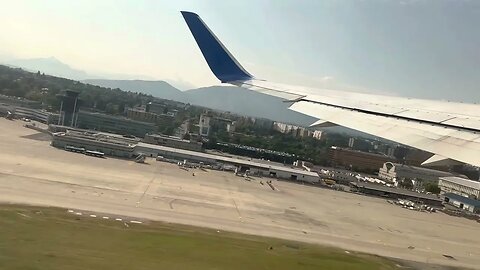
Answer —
393 172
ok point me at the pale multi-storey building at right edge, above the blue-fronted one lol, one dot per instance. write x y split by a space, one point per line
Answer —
461 186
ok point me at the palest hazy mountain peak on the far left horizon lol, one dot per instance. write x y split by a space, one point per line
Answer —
50 66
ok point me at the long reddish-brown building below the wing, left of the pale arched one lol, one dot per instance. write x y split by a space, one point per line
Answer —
356 160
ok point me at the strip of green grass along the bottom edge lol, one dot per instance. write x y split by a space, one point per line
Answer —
51 238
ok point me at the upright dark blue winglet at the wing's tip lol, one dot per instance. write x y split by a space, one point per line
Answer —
219 59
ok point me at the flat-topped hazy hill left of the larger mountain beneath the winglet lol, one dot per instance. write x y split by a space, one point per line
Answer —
159 89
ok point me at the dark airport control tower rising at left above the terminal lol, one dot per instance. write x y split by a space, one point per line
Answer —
68 108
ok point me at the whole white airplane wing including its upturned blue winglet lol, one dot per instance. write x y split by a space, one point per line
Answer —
450 130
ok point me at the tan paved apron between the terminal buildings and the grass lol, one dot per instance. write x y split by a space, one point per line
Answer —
33 172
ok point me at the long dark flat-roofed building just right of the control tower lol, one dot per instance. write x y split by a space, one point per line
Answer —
113 124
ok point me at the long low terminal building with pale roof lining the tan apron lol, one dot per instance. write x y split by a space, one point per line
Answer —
119 146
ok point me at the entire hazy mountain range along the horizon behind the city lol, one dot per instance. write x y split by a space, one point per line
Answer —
224 98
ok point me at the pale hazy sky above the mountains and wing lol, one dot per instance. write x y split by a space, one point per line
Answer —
415 48
